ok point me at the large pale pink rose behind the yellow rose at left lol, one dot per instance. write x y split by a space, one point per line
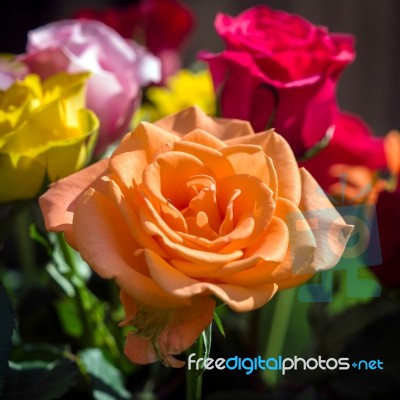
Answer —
119 68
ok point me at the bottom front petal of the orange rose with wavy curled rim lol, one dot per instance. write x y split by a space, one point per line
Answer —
236 297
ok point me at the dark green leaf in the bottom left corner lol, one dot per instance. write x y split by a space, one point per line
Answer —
40 381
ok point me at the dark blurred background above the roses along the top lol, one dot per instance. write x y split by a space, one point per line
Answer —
369 87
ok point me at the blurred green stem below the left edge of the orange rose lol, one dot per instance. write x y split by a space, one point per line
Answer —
89 334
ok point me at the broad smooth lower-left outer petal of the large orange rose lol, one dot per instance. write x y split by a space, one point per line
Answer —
107 246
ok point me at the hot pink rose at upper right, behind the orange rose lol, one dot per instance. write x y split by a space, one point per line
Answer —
280 70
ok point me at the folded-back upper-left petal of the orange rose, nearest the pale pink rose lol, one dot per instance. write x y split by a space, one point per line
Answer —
137 149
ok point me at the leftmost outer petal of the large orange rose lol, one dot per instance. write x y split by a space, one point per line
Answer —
58 203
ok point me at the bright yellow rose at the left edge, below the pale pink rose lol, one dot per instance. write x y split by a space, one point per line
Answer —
45 133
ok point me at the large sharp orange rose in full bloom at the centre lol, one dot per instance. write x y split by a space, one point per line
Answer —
191 208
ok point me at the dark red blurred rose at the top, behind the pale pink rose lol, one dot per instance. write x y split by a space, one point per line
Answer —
161 25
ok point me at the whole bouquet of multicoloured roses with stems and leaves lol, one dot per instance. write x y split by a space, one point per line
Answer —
143 204
